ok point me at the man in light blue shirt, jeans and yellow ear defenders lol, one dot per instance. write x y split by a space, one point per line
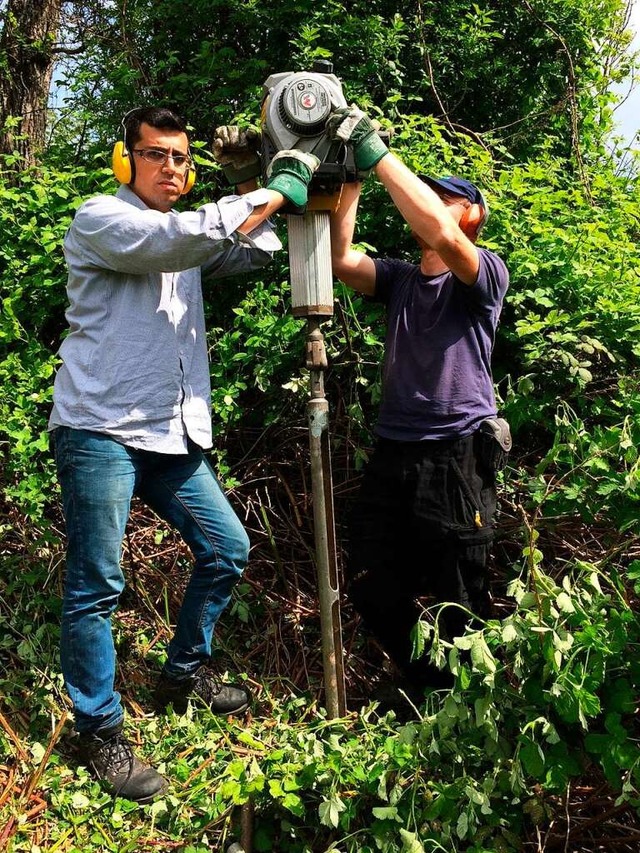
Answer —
132 416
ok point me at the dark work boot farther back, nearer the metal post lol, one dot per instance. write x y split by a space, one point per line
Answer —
223 699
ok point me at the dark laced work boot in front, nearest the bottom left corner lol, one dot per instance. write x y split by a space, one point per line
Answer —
111 759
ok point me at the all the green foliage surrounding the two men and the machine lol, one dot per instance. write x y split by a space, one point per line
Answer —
515 98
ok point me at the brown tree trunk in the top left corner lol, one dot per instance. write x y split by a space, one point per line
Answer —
27 40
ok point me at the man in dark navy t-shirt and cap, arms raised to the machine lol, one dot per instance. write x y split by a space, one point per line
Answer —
423 521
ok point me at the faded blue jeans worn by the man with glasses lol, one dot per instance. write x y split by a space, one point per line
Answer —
98 477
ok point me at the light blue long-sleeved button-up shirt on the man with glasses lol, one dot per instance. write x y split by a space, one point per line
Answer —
135 363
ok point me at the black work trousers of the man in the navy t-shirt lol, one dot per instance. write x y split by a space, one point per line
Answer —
421 525
